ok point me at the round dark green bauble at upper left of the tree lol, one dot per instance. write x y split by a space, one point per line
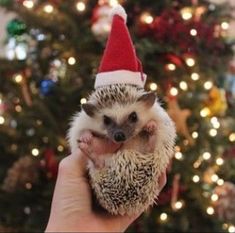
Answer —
16 27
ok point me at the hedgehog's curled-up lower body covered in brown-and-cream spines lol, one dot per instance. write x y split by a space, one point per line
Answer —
128 183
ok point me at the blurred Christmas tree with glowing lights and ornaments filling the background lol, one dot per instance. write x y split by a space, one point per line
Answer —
49 54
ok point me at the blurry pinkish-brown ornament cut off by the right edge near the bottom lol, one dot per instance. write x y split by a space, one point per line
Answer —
225 205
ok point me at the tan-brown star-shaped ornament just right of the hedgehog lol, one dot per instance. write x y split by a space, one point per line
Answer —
180 117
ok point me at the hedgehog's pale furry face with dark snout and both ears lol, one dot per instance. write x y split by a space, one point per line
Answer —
122 121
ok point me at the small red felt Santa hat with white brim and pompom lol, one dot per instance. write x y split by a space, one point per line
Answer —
120 63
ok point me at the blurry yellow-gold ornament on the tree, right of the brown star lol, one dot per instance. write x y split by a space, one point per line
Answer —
216 102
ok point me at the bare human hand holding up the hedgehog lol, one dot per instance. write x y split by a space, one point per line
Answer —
71 209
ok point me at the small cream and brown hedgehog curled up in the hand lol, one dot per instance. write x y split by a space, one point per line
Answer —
125 182
